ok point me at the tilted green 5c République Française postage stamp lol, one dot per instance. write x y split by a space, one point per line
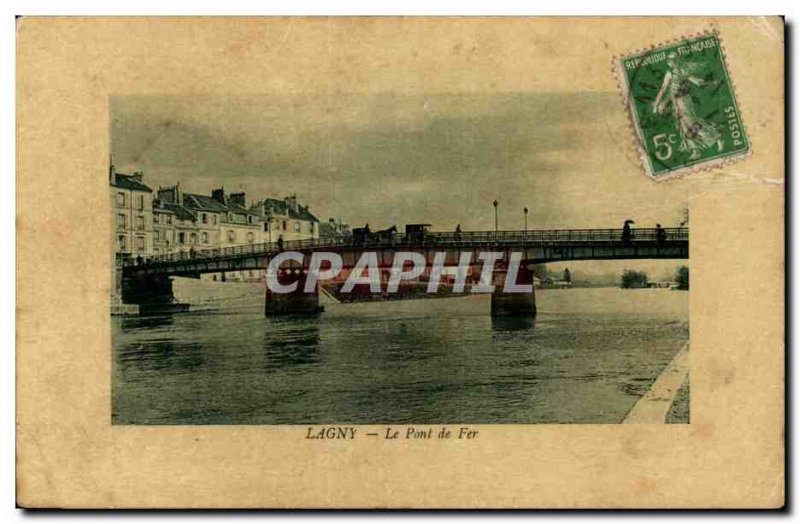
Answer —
682 106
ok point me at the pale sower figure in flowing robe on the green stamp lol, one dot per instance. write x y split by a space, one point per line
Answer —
696 133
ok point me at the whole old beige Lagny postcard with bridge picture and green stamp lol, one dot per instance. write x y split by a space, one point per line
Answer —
400 262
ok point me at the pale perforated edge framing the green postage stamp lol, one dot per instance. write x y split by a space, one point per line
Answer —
638 140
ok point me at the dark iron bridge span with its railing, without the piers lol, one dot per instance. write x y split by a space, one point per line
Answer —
538 245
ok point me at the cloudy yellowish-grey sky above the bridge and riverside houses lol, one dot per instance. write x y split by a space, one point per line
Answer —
387 158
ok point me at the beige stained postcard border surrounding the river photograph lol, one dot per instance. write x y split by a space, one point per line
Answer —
69 455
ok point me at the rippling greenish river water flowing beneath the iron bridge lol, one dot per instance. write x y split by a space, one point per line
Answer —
587 358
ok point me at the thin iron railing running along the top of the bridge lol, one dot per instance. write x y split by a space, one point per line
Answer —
428 239
